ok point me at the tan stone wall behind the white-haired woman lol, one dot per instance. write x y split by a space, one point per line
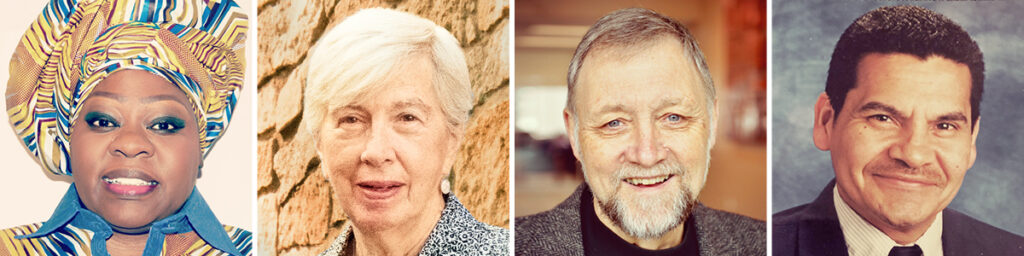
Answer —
298 215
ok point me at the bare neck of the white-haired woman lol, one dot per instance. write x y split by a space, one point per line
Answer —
403 239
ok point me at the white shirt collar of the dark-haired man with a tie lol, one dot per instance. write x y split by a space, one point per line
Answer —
865 239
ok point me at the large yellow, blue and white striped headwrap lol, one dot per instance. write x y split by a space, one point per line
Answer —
197 46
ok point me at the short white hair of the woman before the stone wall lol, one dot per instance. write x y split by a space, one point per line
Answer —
364 51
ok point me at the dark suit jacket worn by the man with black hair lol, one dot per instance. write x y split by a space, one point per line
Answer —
814 230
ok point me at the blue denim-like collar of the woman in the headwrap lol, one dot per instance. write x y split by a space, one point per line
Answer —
194 216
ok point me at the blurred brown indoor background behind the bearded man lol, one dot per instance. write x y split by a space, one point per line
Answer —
732 34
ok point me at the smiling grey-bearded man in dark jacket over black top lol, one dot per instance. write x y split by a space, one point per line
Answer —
641 116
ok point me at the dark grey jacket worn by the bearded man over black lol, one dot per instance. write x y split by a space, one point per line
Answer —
558 232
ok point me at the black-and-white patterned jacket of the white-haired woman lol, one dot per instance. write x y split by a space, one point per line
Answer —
457 233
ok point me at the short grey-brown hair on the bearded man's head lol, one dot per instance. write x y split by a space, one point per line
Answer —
634 28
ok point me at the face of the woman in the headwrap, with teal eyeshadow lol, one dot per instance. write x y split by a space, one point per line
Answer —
136 153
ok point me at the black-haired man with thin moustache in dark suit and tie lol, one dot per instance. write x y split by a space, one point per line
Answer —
900 116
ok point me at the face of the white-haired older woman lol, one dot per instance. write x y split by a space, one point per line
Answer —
387 154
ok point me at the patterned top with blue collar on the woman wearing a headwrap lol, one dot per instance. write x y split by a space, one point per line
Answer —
76 231
